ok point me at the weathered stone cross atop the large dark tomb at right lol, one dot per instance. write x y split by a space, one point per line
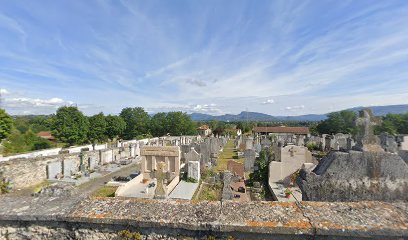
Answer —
366 140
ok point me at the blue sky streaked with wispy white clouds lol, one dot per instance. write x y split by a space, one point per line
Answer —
210 56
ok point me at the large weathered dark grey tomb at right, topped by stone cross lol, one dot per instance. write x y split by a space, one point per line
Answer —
369 174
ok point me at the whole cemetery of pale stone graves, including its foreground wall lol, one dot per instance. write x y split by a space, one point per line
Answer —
210 181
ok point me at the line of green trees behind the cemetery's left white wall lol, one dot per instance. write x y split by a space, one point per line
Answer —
71 127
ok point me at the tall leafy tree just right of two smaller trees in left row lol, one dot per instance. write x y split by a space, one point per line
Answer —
137 122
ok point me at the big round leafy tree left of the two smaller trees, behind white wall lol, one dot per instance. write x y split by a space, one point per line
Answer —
70 126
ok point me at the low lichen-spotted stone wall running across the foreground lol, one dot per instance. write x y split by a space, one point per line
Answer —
105 218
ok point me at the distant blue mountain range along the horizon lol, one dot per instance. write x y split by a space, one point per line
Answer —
255 116
